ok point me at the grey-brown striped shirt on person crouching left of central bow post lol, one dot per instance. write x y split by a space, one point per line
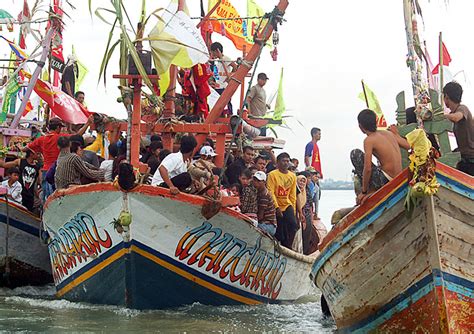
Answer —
70 168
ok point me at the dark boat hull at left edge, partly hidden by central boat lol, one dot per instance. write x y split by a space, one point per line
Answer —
24 258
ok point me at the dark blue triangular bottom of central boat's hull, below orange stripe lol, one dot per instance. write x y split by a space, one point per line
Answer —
146 285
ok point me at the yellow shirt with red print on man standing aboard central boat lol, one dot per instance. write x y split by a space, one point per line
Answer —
282 187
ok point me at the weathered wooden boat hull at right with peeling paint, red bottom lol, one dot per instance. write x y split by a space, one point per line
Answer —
382 271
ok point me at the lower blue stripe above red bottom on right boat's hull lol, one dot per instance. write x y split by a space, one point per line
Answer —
410 296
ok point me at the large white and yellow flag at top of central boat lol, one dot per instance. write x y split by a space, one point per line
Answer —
175 40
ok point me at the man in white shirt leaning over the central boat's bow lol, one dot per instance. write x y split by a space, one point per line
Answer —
173 170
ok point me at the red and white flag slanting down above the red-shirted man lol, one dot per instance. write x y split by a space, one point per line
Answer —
61 104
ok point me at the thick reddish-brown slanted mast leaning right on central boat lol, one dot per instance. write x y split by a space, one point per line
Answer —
239 75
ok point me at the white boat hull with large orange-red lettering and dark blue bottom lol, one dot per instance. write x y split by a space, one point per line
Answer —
170 255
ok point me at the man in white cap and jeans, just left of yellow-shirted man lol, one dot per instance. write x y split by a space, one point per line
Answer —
266 208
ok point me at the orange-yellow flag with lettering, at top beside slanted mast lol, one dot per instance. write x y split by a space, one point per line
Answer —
232 29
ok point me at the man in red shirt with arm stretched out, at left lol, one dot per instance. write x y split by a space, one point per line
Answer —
48 146
